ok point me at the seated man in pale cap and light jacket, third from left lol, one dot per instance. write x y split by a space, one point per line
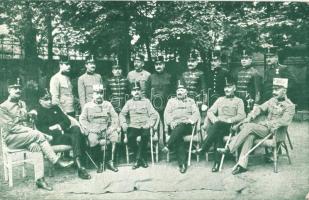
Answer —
100 122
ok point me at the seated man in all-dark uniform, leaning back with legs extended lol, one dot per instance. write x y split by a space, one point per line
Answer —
51 120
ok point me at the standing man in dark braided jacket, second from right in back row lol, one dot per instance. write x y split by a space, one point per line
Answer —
248 82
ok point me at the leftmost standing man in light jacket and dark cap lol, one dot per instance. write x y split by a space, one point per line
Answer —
61 87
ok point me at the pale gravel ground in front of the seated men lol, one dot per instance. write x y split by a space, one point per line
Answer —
292 181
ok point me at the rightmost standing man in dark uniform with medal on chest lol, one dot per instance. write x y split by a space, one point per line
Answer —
276 70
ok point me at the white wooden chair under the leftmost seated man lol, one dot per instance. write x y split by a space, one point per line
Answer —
17 157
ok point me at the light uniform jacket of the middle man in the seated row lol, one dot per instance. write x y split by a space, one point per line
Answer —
140 114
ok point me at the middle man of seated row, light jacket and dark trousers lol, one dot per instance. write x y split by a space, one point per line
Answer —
142 116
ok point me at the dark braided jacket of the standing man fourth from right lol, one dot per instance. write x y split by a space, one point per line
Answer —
194 81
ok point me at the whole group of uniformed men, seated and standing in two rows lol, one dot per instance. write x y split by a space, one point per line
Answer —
108 115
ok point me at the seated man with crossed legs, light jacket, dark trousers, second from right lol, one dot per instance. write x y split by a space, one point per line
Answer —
222 114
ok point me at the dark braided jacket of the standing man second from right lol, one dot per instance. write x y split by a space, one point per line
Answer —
248 82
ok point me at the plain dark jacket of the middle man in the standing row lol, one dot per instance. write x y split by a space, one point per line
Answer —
161 89
